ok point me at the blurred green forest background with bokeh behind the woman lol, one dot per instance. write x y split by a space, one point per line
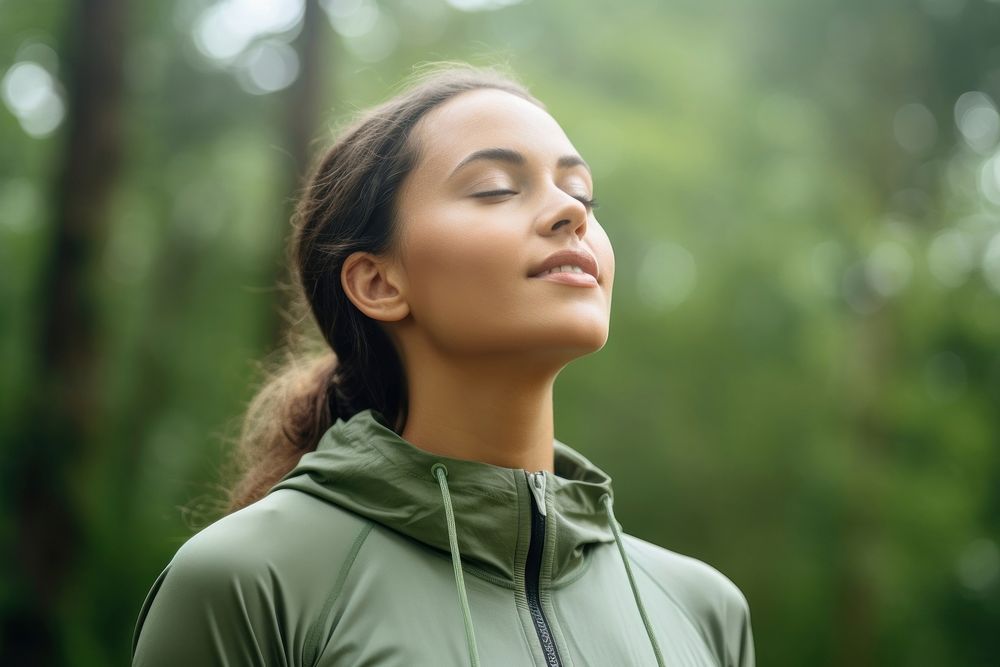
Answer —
802 382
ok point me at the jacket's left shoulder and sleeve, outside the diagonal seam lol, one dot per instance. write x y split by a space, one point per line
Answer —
248 582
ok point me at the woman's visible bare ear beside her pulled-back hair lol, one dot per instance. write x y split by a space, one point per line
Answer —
373 283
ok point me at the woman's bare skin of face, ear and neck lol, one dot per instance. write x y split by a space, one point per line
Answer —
481 342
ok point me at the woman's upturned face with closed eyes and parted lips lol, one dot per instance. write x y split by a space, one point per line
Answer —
497 189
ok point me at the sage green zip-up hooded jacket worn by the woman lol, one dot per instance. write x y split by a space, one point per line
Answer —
372 551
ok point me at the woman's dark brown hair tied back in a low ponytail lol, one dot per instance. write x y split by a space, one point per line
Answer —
347 205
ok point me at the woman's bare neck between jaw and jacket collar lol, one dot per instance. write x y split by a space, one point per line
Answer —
489 410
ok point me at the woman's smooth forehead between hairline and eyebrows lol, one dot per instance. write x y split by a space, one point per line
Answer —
488 118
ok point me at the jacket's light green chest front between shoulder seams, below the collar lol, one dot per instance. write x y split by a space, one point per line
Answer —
400 606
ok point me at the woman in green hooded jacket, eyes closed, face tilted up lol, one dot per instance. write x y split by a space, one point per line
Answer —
450 256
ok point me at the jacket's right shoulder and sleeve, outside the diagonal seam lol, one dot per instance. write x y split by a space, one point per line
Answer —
713 602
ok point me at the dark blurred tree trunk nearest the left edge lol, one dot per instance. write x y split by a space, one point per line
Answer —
59 422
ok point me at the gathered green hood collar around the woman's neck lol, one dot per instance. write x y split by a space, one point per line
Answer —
362 465
